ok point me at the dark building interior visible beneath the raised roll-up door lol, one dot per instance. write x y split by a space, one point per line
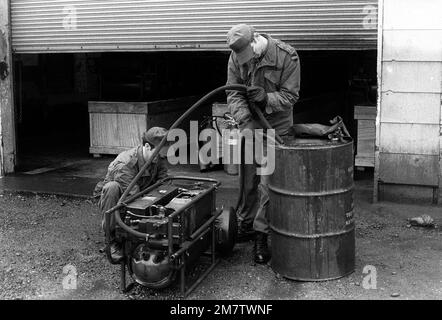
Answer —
52 93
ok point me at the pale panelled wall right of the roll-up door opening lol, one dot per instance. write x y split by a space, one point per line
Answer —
408 160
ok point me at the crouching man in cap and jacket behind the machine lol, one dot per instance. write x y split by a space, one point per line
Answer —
123 170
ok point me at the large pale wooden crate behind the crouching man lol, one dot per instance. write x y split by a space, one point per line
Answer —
117 126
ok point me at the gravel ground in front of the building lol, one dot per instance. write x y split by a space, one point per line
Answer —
40 235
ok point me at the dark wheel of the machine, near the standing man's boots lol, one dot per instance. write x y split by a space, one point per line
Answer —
226 231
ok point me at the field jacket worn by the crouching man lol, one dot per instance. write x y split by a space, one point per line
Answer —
127 165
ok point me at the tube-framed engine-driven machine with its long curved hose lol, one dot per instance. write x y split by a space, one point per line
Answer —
168 229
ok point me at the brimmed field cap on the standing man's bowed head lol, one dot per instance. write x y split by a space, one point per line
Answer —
239 38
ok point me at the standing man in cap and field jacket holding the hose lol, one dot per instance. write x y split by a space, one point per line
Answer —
271 70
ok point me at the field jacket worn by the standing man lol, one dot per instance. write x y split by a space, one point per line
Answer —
278 72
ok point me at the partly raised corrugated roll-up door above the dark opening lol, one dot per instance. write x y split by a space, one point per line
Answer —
141 25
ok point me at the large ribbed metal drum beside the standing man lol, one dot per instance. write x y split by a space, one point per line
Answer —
311 209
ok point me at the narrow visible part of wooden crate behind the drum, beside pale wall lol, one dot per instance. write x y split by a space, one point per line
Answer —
366 136
